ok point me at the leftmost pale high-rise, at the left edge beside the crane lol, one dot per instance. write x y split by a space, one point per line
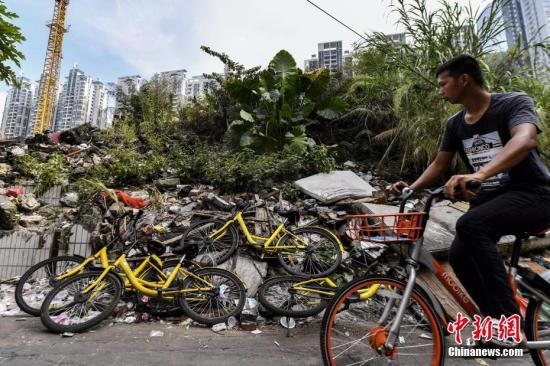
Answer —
17 110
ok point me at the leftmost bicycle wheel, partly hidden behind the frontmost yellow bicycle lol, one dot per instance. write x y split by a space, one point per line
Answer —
40 292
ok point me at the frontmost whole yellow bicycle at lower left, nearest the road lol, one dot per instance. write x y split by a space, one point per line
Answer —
207 295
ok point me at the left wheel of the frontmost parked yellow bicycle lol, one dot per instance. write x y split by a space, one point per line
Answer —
80 281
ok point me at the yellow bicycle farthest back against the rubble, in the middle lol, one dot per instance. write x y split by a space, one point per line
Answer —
306 251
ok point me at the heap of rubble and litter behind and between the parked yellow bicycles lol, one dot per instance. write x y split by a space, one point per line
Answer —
324 199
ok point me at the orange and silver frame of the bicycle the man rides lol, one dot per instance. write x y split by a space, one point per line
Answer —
420 256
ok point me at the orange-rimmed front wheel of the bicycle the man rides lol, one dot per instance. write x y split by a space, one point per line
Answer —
353 331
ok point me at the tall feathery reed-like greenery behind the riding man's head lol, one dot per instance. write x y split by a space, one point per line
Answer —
433 37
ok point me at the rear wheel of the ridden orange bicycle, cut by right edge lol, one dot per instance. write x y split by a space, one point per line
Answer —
537 328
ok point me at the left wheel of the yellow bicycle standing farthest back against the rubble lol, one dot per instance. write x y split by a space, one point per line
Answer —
207 250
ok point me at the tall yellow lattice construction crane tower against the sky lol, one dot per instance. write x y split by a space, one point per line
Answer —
50 75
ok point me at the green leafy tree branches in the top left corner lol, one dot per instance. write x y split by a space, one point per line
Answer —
10 37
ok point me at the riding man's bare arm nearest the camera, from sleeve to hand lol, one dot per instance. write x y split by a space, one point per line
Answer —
523 140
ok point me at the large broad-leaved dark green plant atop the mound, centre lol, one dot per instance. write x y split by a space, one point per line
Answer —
278 103
